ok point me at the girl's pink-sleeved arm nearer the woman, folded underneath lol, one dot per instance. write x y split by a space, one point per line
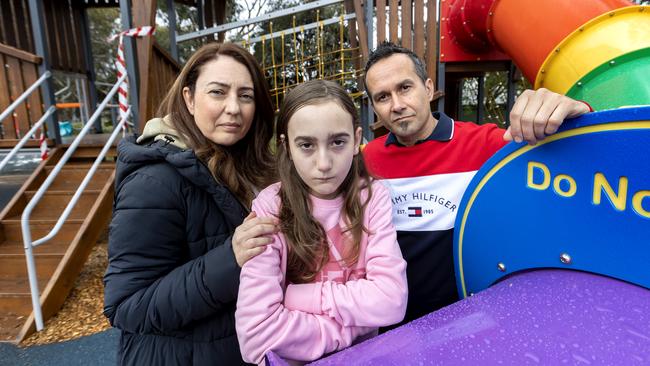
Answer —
264 324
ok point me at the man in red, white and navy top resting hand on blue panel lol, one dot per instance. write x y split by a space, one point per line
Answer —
428 160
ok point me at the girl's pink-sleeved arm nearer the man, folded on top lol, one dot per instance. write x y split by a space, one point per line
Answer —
379 299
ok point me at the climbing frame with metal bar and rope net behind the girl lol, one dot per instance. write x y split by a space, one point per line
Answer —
293 55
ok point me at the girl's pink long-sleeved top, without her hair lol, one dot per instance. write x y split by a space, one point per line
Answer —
302 322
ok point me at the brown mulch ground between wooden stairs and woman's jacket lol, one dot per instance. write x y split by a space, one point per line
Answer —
81 314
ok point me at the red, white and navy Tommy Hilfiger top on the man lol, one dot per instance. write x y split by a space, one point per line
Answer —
427 182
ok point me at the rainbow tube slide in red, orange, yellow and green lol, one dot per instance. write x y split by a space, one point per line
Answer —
592 50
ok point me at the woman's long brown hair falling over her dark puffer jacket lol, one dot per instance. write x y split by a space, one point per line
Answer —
249 162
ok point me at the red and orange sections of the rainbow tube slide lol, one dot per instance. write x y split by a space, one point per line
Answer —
525 30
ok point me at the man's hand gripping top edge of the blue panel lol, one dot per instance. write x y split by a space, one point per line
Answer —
539 113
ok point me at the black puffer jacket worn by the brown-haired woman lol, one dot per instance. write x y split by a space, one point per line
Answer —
172 279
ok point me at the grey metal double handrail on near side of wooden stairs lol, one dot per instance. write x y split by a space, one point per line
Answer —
24 220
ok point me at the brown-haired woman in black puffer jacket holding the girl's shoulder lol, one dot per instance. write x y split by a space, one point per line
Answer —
180 231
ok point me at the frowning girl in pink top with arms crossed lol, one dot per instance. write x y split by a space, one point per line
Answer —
335 273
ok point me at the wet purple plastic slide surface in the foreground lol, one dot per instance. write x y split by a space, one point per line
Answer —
546 317
